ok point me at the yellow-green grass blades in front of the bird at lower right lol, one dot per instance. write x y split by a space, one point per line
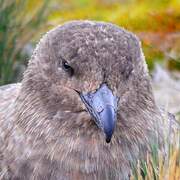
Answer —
159 166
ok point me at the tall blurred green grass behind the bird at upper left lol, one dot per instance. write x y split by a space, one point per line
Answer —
19 22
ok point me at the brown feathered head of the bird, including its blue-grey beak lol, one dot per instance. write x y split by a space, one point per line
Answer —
88 77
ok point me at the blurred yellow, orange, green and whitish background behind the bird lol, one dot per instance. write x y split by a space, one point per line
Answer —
156 22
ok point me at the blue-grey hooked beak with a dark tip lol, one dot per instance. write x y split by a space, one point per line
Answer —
102 105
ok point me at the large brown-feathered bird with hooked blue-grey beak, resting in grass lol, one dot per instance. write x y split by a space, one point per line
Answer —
85 108
